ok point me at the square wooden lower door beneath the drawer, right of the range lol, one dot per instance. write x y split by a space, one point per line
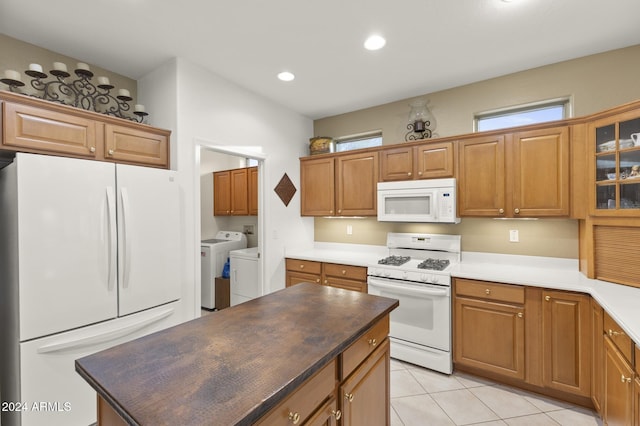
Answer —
489 336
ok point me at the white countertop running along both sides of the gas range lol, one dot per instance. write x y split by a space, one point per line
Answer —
621 302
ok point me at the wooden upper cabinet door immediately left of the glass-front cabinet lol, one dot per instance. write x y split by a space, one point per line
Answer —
540 171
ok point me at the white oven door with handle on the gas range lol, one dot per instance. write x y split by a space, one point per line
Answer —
424 314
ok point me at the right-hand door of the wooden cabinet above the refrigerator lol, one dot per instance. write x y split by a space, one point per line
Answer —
136 146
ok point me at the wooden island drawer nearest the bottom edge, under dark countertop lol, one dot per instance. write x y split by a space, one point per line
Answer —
305 399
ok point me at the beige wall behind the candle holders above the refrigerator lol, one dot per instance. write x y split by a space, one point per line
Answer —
17 55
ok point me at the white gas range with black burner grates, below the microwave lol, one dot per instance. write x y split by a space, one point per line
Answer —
416 272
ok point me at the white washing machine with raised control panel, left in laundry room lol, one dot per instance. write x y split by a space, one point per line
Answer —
213 255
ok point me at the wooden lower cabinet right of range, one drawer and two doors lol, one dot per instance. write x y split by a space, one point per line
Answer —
525 336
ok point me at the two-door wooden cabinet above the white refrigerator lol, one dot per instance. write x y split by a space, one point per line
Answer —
42 127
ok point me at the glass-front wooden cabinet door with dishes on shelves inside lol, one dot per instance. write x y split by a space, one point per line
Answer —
617 165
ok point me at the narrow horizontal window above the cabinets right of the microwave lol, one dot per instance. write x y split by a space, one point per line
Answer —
539 112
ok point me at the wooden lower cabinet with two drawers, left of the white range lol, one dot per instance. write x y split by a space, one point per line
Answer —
336 275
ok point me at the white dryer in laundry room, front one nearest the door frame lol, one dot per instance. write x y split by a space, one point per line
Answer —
245 275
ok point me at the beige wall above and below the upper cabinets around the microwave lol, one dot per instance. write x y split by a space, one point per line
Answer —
593 83
